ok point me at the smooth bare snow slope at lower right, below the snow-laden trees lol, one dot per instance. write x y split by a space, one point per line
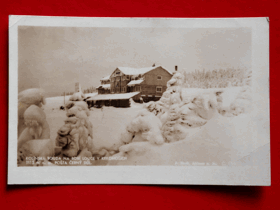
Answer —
240 136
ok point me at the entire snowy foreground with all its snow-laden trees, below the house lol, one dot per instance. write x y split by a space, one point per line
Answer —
187 126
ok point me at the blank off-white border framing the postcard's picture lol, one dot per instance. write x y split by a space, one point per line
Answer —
220 175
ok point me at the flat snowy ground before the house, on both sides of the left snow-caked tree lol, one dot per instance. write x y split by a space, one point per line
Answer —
108 122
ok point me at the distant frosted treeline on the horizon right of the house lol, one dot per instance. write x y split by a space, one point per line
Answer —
216 78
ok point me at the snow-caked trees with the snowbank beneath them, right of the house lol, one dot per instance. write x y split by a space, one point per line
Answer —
197 125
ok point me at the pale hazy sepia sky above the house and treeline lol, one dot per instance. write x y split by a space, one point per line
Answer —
55 58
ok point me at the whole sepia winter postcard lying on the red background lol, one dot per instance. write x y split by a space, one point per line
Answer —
139 100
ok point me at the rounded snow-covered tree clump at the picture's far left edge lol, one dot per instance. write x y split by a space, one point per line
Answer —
32 123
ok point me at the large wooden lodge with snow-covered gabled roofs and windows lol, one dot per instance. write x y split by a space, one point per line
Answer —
150 82
